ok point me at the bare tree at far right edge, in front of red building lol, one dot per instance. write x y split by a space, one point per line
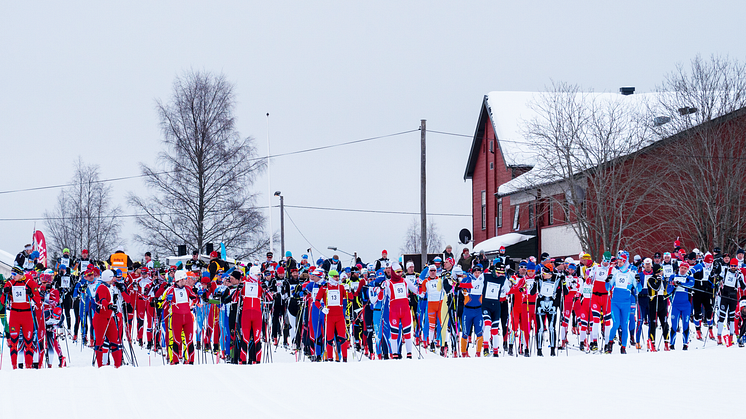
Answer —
700 105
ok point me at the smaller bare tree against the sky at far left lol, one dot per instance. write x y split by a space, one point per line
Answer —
84 217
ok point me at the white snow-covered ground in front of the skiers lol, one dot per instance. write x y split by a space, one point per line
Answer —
699 383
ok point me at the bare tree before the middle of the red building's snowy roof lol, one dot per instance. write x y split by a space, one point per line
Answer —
589 167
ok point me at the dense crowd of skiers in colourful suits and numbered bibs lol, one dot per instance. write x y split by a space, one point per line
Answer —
324 311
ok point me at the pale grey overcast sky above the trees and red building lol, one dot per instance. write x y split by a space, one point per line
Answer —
81 78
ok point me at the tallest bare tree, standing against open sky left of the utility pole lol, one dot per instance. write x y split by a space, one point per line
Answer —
203 177
